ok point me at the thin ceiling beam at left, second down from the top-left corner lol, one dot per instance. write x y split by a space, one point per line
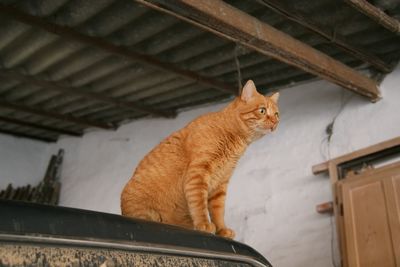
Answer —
83 92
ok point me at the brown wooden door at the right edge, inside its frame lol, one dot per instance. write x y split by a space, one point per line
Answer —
371 218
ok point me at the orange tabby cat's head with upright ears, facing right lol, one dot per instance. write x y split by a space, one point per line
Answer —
259 113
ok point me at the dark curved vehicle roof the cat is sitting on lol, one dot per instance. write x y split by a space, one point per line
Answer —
87 227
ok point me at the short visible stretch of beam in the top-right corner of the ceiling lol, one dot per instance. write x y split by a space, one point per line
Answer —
376 14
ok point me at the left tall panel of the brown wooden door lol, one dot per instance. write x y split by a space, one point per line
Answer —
368 233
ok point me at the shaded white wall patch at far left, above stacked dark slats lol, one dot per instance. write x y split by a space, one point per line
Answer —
22 161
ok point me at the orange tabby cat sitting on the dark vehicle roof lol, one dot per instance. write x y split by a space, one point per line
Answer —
183 181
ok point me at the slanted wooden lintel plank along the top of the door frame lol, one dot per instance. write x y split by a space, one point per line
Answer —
324 166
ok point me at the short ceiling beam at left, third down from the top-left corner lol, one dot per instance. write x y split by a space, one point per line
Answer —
53 115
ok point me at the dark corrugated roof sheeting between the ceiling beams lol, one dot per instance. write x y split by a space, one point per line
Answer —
77 61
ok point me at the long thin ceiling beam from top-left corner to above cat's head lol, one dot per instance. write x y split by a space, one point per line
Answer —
69 33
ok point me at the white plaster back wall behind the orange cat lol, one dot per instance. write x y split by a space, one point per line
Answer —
272 195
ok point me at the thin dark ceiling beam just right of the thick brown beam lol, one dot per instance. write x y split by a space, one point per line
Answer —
332 36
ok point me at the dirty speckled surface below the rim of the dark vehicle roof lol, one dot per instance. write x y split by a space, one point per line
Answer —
42 255
